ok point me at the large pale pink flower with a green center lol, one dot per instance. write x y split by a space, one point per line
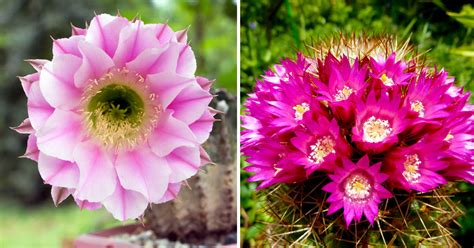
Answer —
117 117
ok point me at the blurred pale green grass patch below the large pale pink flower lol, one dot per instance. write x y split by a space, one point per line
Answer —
46 226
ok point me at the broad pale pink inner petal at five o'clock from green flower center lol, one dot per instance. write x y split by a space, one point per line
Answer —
144 172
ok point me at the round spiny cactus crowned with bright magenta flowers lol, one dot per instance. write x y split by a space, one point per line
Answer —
359 142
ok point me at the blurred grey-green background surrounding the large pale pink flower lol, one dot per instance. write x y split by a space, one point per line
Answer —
28 217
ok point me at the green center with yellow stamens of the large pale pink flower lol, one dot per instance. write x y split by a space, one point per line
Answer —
118 109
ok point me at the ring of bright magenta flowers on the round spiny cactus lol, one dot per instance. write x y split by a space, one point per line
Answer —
372 124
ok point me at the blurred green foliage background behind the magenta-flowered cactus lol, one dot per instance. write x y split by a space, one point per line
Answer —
273 29
